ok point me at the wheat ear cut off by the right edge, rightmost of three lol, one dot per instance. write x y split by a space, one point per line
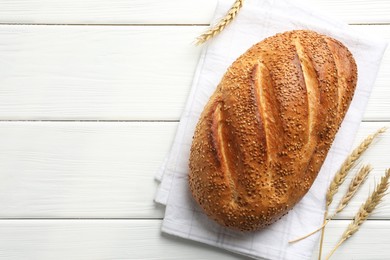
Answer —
365 210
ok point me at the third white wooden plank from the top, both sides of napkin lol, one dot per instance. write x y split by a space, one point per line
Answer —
106 169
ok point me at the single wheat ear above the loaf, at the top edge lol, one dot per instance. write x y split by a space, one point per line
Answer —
220 26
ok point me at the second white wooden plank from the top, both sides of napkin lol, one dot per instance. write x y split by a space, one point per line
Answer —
114 73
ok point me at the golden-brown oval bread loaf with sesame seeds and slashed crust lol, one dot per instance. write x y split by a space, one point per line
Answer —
265 132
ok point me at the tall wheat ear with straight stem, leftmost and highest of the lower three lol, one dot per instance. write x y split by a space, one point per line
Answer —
342 173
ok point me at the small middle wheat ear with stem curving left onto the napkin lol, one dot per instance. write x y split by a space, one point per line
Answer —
354 186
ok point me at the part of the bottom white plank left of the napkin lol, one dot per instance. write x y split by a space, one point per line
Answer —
96 239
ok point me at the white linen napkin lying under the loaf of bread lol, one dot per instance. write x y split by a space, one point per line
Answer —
257 20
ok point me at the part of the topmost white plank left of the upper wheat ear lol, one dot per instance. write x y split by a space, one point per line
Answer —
107 11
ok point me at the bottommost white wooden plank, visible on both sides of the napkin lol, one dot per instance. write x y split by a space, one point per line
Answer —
142 239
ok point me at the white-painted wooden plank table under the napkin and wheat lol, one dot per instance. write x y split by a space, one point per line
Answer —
90 97
